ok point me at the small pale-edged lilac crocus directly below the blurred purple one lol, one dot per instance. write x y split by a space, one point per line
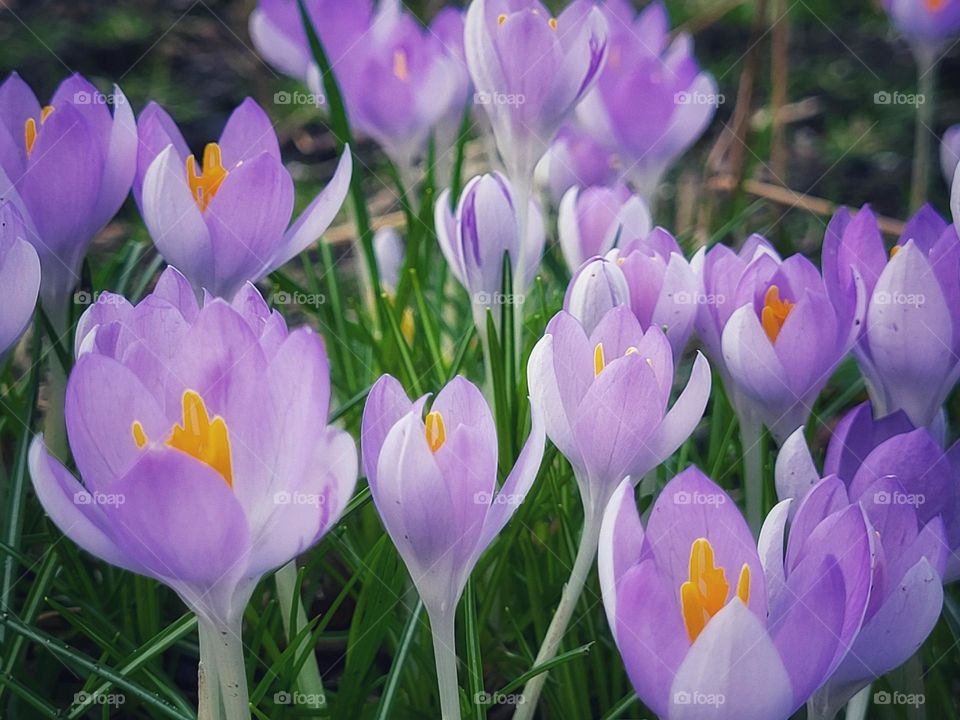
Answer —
592 220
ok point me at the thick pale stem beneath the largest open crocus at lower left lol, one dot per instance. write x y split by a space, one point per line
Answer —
223 677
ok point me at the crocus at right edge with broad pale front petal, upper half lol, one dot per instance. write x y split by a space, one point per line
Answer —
909 347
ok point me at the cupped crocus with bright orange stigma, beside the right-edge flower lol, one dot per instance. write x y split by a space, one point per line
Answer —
772 330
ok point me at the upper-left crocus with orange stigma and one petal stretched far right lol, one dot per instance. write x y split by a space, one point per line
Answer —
223 221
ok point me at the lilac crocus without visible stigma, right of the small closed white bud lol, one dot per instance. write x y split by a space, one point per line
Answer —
663 288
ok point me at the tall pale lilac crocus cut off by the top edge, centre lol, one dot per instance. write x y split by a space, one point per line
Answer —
530 70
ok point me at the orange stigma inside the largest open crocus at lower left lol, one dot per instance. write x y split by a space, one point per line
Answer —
198 436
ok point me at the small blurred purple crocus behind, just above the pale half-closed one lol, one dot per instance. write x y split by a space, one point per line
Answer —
574 160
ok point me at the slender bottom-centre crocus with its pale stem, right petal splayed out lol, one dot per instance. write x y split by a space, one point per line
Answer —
434 483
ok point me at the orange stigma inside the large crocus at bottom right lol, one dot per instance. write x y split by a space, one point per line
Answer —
705 593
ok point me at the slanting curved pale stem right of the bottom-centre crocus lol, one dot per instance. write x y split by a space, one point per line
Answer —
568 603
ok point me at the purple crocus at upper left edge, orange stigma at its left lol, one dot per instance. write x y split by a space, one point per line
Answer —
67 167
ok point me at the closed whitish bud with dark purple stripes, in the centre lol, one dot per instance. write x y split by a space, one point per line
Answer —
475 238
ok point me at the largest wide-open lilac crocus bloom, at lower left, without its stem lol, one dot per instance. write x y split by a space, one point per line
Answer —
209 462
